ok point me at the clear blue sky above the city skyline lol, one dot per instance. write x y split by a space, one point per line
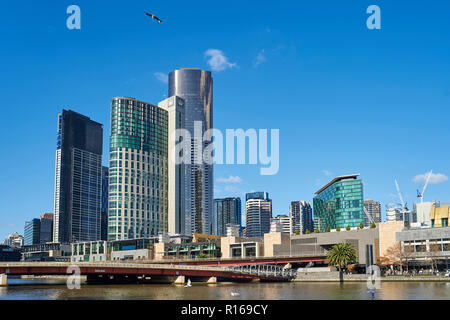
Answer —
345 98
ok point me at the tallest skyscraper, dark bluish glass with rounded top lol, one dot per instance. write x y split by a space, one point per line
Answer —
195 87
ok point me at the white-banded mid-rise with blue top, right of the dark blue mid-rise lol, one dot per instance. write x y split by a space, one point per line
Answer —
258 212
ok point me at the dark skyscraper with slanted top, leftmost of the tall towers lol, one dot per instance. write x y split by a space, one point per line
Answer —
78 178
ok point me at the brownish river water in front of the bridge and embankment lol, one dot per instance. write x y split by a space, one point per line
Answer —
23 289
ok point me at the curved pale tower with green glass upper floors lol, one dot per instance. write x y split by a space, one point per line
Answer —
138 170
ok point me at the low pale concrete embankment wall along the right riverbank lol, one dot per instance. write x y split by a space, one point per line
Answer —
333 276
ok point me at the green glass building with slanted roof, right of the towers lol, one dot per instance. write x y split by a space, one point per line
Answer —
339 203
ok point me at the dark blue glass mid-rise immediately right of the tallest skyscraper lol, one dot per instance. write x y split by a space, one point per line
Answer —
226 211
